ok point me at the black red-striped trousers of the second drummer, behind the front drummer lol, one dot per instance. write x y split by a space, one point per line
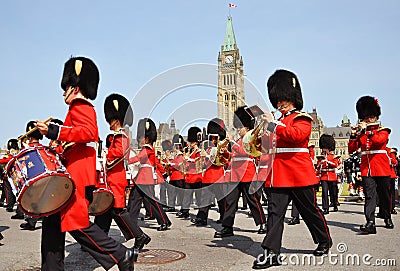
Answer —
127 225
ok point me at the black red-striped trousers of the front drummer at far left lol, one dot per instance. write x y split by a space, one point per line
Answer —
103 248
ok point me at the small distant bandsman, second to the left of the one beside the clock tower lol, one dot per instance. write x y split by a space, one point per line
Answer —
176 178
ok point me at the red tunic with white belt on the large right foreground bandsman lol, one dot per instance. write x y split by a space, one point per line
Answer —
292 169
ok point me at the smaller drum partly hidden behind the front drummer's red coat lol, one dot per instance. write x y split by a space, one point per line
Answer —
103 198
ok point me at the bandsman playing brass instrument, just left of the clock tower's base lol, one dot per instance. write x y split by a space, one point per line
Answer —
213 176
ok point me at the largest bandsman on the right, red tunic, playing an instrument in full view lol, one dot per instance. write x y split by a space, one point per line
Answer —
292 176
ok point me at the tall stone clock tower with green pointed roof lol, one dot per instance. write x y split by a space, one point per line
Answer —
230 78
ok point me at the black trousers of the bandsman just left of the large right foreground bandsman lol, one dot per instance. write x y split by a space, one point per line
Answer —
253 200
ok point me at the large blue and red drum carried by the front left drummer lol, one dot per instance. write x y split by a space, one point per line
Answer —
40 182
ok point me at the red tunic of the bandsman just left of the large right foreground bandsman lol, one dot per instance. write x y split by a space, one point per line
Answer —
242 166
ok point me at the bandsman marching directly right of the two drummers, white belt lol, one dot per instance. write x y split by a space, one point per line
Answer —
150 171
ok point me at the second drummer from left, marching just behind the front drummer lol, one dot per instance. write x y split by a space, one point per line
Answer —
118 113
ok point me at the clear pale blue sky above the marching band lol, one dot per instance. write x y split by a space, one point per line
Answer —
340 50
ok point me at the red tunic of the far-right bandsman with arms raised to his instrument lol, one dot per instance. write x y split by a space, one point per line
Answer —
374 158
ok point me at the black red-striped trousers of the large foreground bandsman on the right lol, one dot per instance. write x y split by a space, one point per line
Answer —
305 200
